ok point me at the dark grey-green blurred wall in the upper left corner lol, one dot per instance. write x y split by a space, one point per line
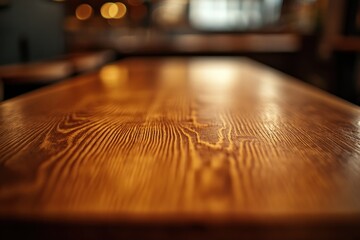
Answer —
30 30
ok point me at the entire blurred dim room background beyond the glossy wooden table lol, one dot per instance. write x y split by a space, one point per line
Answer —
45 41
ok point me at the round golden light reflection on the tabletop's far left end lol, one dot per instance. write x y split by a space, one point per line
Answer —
113 76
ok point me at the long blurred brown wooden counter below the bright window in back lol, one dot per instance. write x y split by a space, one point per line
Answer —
157 43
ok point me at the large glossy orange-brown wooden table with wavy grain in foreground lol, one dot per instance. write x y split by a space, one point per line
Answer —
203 148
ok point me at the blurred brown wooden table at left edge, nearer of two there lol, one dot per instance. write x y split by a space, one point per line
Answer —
21 78
